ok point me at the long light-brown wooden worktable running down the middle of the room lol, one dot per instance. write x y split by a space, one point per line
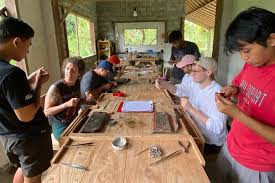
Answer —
107 165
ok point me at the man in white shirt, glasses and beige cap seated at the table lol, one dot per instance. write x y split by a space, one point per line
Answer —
198 99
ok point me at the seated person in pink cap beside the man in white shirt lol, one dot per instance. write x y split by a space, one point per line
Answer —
186 65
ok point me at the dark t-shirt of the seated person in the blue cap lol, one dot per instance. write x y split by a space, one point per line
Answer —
91 81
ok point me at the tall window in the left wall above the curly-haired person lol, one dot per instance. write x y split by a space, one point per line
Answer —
80 35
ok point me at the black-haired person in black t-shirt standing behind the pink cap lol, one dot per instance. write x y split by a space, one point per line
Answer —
179 49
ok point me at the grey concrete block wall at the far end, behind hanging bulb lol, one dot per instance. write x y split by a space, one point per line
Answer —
147 10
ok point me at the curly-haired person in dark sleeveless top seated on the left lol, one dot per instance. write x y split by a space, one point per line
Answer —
63 97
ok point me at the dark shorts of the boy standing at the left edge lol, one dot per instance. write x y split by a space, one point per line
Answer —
31 153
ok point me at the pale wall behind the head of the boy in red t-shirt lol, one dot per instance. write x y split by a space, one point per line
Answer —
229 66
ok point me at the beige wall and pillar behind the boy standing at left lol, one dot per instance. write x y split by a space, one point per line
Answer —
43 51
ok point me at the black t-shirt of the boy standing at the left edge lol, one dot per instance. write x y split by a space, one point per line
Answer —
16 93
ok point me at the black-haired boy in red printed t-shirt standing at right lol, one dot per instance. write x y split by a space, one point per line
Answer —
249 152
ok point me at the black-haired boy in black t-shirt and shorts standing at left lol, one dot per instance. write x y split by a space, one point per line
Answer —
24 129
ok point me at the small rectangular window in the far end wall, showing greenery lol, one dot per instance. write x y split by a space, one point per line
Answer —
140 37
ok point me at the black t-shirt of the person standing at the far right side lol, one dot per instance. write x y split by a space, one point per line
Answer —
189 48
